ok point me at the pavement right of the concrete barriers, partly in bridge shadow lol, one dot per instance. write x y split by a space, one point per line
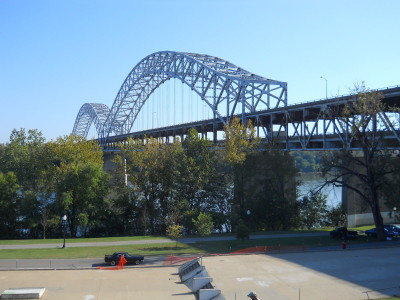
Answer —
333 275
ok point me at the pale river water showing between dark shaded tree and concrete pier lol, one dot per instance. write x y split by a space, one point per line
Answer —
313 181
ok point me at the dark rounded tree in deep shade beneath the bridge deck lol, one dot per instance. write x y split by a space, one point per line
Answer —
271 191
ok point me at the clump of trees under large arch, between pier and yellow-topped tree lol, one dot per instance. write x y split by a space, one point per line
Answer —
173 183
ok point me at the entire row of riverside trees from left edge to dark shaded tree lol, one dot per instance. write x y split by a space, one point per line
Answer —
155 185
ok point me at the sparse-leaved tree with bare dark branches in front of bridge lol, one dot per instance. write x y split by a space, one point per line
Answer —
365 172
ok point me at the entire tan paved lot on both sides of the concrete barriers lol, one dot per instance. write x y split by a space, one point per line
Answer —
341 275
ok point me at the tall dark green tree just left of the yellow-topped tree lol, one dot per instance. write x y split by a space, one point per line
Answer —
202 183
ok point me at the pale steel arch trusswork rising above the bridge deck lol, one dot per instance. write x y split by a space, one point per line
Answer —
227 90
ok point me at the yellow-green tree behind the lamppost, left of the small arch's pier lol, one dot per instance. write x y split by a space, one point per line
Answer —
79 182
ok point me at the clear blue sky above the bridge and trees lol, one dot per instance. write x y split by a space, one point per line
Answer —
57 55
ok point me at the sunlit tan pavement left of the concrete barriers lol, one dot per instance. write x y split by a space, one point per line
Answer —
134 283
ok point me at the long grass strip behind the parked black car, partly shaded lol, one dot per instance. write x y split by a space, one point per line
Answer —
173 248
